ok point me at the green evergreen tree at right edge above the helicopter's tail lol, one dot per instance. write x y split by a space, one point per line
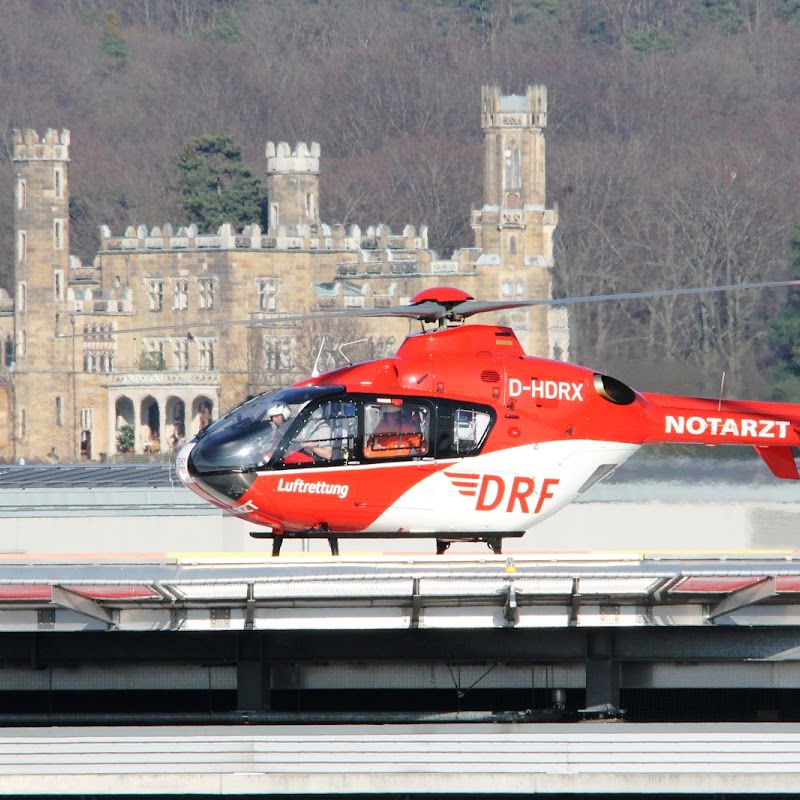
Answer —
784 336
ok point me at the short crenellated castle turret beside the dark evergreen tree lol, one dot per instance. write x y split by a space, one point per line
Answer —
292 184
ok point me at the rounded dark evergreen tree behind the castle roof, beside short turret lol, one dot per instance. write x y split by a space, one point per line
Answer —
215 185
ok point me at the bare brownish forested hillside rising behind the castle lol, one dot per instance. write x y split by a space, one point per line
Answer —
672 137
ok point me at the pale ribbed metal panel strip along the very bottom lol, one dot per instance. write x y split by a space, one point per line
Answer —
387 759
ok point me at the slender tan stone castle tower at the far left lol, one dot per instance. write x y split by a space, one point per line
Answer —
43 385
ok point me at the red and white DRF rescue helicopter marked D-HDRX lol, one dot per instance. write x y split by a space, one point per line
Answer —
460 436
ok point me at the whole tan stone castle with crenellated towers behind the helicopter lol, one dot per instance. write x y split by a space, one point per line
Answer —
169 328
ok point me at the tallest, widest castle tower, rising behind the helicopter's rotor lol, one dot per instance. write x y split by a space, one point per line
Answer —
513 228
